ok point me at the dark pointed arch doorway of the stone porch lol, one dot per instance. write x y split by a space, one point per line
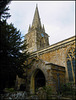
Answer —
37 80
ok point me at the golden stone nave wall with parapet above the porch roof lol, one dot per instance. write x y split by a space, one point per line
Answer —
56 53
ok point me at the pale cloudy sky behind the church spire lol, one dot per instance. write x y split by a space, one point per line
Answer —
58 17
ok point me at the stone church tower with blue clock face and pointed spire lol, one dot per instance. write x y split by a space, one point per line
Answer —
36 37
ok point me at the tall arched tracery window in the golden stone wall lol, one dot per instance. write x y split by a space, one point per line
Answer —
71 60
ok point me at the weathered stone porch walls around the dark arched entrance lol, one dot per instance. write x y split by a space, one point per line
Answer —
50 72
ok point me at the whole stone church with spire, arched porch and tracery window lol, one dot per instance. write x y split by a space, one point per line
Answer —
52 65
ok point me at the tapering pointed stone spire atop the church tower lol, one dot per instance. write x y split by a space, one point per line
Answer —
36 20
